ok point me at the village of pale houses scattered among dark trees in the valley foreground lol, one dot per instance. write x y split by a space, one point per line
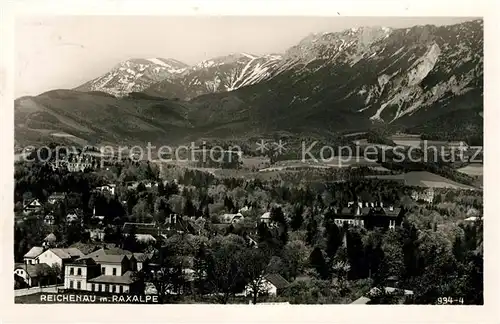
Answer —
180 238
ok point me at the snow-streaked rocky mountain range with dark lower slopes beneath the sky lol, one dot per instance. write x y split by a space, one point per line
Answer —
328 83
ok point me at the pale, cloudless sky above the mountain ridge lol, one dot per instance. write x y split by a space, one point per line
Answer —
63 52
